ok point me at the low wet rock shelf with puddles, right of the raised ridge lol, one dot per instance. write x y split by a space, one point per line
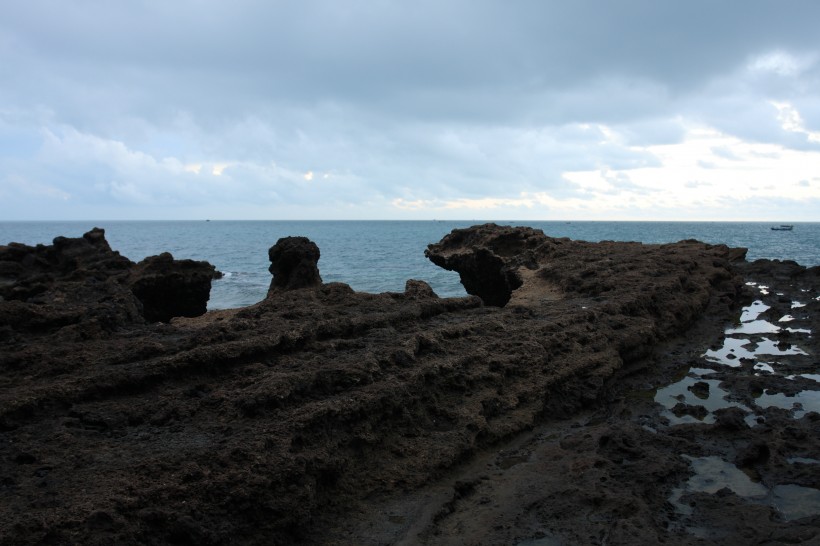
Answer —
683 447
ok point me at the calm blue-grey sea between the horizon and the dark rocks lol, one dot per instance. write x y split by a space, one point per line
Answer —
379 256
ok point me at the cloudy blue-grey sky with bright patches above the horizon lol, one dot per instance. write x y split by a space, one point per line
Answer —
378 109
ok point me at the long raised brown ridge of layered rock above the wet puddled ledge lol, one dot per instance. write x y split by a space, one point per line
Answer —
260 425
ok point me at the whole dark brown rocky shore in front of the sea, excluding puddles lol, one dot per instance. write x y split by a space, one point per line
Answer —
128 415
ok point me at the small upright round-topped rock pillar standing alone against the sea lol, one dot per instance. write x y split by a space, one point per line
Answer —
293 264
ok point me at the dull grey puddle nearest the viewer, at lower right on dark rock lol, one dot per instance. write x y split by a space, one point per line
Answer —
713 474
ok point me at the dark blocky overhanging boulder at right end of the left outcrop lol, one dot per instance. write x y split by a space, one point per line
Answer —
171 288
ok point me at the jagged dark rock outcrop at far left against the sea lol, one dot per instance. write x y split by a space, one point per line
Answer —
82 283
